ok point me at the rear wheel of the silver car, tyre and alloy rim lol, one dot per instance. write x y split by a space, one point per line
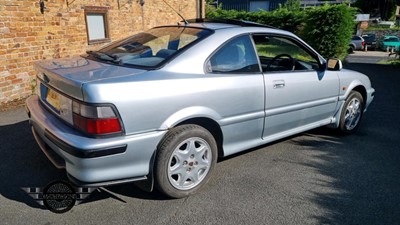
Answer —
185 160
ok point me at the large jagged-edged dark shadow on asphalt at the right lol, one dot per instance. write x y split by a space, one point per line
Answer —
363 168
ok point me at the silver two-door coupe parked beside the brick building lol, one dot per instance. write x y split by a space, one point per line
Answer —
160 107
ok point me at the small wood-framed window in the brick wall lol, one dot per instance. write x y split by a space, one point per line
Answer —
97 24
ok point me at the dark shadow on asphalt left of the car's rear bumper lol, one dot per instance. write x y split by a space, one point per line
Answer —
22 164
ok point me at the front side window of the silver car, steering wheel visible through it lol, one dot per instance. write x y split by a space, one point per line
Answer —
283 54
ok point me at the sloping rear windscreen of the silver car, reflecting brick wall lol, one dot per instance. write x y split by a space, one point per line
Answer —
151 48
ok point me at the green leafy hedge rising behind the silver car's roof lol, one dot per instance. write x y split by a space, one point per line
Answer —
327 29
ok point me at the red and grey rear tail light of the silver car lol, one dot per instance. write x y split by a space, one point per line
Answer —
96 120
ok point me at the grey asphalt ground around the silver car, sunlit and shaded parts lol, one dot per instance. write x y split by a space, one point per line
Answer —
317 177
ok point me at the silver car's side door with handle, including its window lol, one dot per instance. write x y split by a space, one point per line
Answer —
298 93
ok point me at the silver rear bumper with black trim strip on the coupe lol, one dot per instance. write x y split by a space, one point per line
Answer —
91 160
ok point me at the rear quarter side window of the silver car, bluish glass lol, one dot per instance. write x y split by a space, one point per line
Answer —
236 56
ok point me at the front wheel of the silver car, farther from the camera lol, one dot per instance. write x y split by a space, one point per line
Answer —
352 113
